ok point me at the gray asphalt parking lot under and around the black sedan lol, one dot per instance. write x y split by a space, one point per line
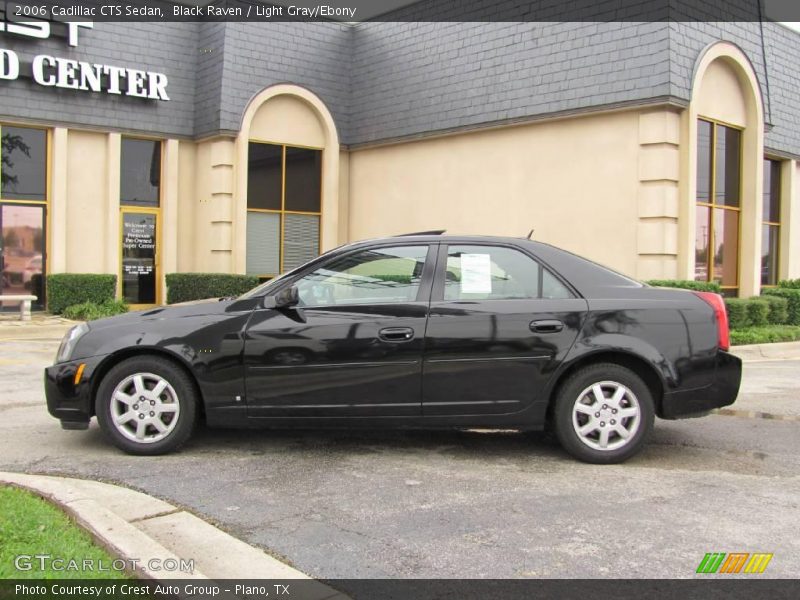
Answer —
456 504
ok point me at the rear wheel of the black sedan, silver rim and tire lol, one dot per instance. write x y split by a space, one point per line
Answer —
568 416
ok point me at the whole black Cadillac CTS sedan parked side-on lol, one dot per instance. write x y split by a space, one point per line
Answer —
419 331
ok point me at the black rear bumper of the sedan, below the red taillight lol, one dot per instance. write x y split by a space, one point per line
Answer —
699 401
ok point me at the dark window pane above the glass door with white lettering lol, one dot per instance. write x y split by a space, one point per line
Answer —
140 172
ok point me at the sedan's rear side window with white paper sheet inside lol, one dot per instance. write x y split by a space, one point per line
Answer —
497 273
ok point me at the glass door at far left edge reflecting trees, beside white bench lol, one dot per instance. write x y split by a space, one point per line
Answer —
22 252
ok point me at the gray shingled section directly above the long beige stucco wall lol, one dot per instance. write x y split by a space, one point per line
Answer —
411 78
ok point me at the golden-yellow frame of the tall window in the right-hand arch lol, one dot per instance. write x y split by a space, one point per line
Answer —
712 205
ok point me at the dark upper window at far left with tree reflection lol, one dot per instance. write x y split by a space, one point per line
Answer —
23 163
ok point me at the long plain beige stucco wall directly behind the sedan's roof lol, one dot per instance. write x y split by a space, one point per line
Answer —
574 181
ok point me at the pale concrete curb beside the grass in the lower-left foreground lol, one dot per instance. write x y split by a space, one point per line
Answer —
136 527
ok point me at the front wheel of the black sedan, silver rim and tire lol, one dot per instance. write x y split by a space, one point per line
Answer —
177 423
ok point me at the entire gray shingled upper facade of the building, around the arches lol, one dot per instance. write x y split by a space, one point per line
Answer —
386 80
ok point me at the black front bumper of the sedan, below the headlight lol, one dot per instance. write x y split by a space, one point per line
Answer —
67 400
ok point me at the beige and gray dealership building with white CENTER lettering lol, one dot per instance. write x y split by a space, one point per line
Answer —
666 150
